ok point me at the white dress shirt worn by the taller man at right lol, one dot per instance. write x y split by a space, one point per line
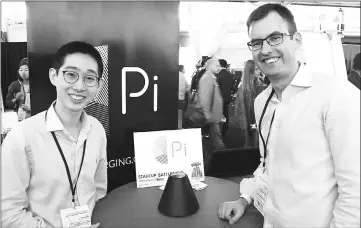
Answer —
313 153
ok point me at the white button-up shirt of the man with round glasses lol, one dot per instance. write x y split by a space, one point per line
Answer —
35 184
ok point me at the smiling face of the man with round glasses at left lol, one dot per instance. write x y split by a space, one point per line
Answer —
76 96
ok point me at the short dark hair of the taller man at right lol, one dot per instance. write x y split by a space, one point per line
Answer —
263 11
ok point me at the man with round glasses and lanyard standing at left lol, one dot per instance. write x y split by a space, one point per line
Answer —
54 163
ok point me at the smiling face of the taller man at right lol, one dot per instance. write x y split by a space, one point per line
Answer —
280 60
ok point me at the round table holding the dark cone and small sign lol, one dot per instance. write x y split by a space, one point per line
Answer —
130 207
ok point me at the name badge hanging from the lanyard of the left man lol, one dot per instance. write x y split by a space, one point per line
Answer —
76 217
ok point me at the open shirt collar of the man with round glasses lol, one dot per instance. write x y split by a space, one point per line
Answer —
53 122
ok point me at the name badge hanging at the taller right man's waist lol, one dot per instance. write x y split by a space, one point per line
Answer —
261 192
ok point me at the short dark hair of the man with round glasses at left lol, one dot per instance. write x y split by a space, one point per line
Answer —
77 47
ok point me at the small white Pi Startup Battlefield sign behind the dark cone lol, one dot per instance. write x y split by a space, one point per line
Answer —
159 154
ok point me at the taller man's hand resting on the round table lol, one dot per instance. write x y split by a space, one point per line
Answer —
233 210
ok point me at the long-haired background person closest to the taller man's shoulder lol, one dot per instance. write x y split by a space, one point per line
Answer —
249 89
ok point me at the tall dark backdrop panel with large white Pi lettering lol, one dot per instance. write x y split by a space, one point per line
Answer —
138 34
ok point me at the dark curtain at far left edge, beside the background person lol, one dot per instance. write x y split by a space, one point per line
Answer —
11 54
